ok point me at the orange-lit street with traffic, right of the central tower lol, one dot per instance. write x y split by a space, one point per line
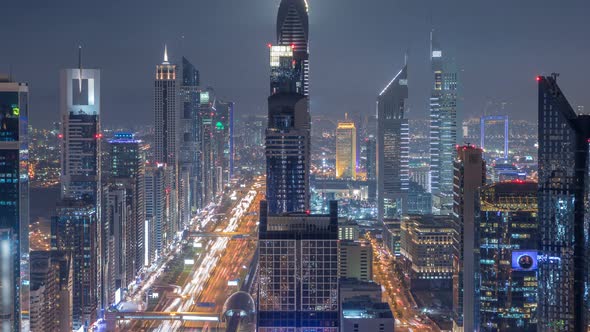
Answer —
407 317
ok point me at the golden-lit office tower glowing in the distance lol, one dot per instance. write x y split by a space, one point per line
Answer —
346 150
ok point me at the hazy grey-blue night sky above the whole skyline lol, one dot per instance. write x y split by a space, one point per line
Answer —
356 47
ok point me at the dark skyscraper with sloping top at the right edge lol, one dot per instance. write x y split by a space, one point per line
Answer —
563 210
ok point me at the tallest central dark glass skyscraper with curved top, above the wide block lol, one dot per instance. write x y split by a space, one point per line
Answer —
288 134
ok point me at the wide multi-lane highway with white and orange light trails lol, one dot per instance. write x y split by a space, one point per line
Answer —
222 259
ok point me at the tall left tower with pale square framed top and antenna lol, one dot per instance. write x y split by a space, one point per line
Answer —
75 229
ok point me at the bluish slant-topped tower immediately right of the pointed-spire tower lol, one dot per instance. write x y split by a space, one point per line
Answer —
189 153
